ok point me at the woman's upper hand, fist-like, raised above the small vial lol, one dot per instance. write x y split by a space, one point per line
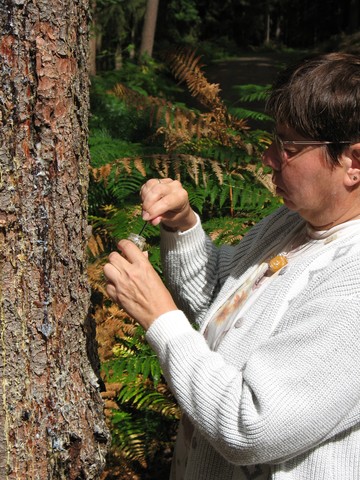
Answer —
166 201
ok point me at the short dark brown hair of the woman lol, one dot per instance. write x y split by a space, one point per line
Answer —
319 97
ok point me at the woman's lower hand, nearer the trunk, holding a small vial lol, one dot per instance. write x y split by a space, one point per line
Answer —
134 284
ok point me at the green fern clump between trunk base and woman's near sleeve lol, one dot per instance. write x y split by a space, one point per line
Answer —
146 422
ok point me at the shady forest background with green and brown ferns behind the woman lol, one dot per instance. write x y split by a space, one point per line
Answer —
183 97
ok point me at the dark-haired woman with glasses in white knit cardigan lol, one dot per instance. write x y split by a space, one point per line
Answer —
269 380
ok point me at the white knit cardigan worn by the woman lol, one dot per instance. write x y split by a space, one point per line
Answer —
287 397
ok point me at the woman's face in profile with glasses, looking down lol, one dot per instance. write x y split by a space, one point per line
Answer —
304 178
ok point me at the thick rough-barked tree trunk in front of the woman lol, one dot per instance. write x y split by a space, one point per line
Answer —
51 412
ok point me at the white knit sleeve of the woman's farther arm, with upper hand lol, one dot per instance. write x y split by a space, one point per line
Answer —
195 269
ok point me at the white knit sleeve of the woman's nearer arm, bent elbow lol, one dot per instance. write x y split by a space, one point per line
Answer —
298 388
